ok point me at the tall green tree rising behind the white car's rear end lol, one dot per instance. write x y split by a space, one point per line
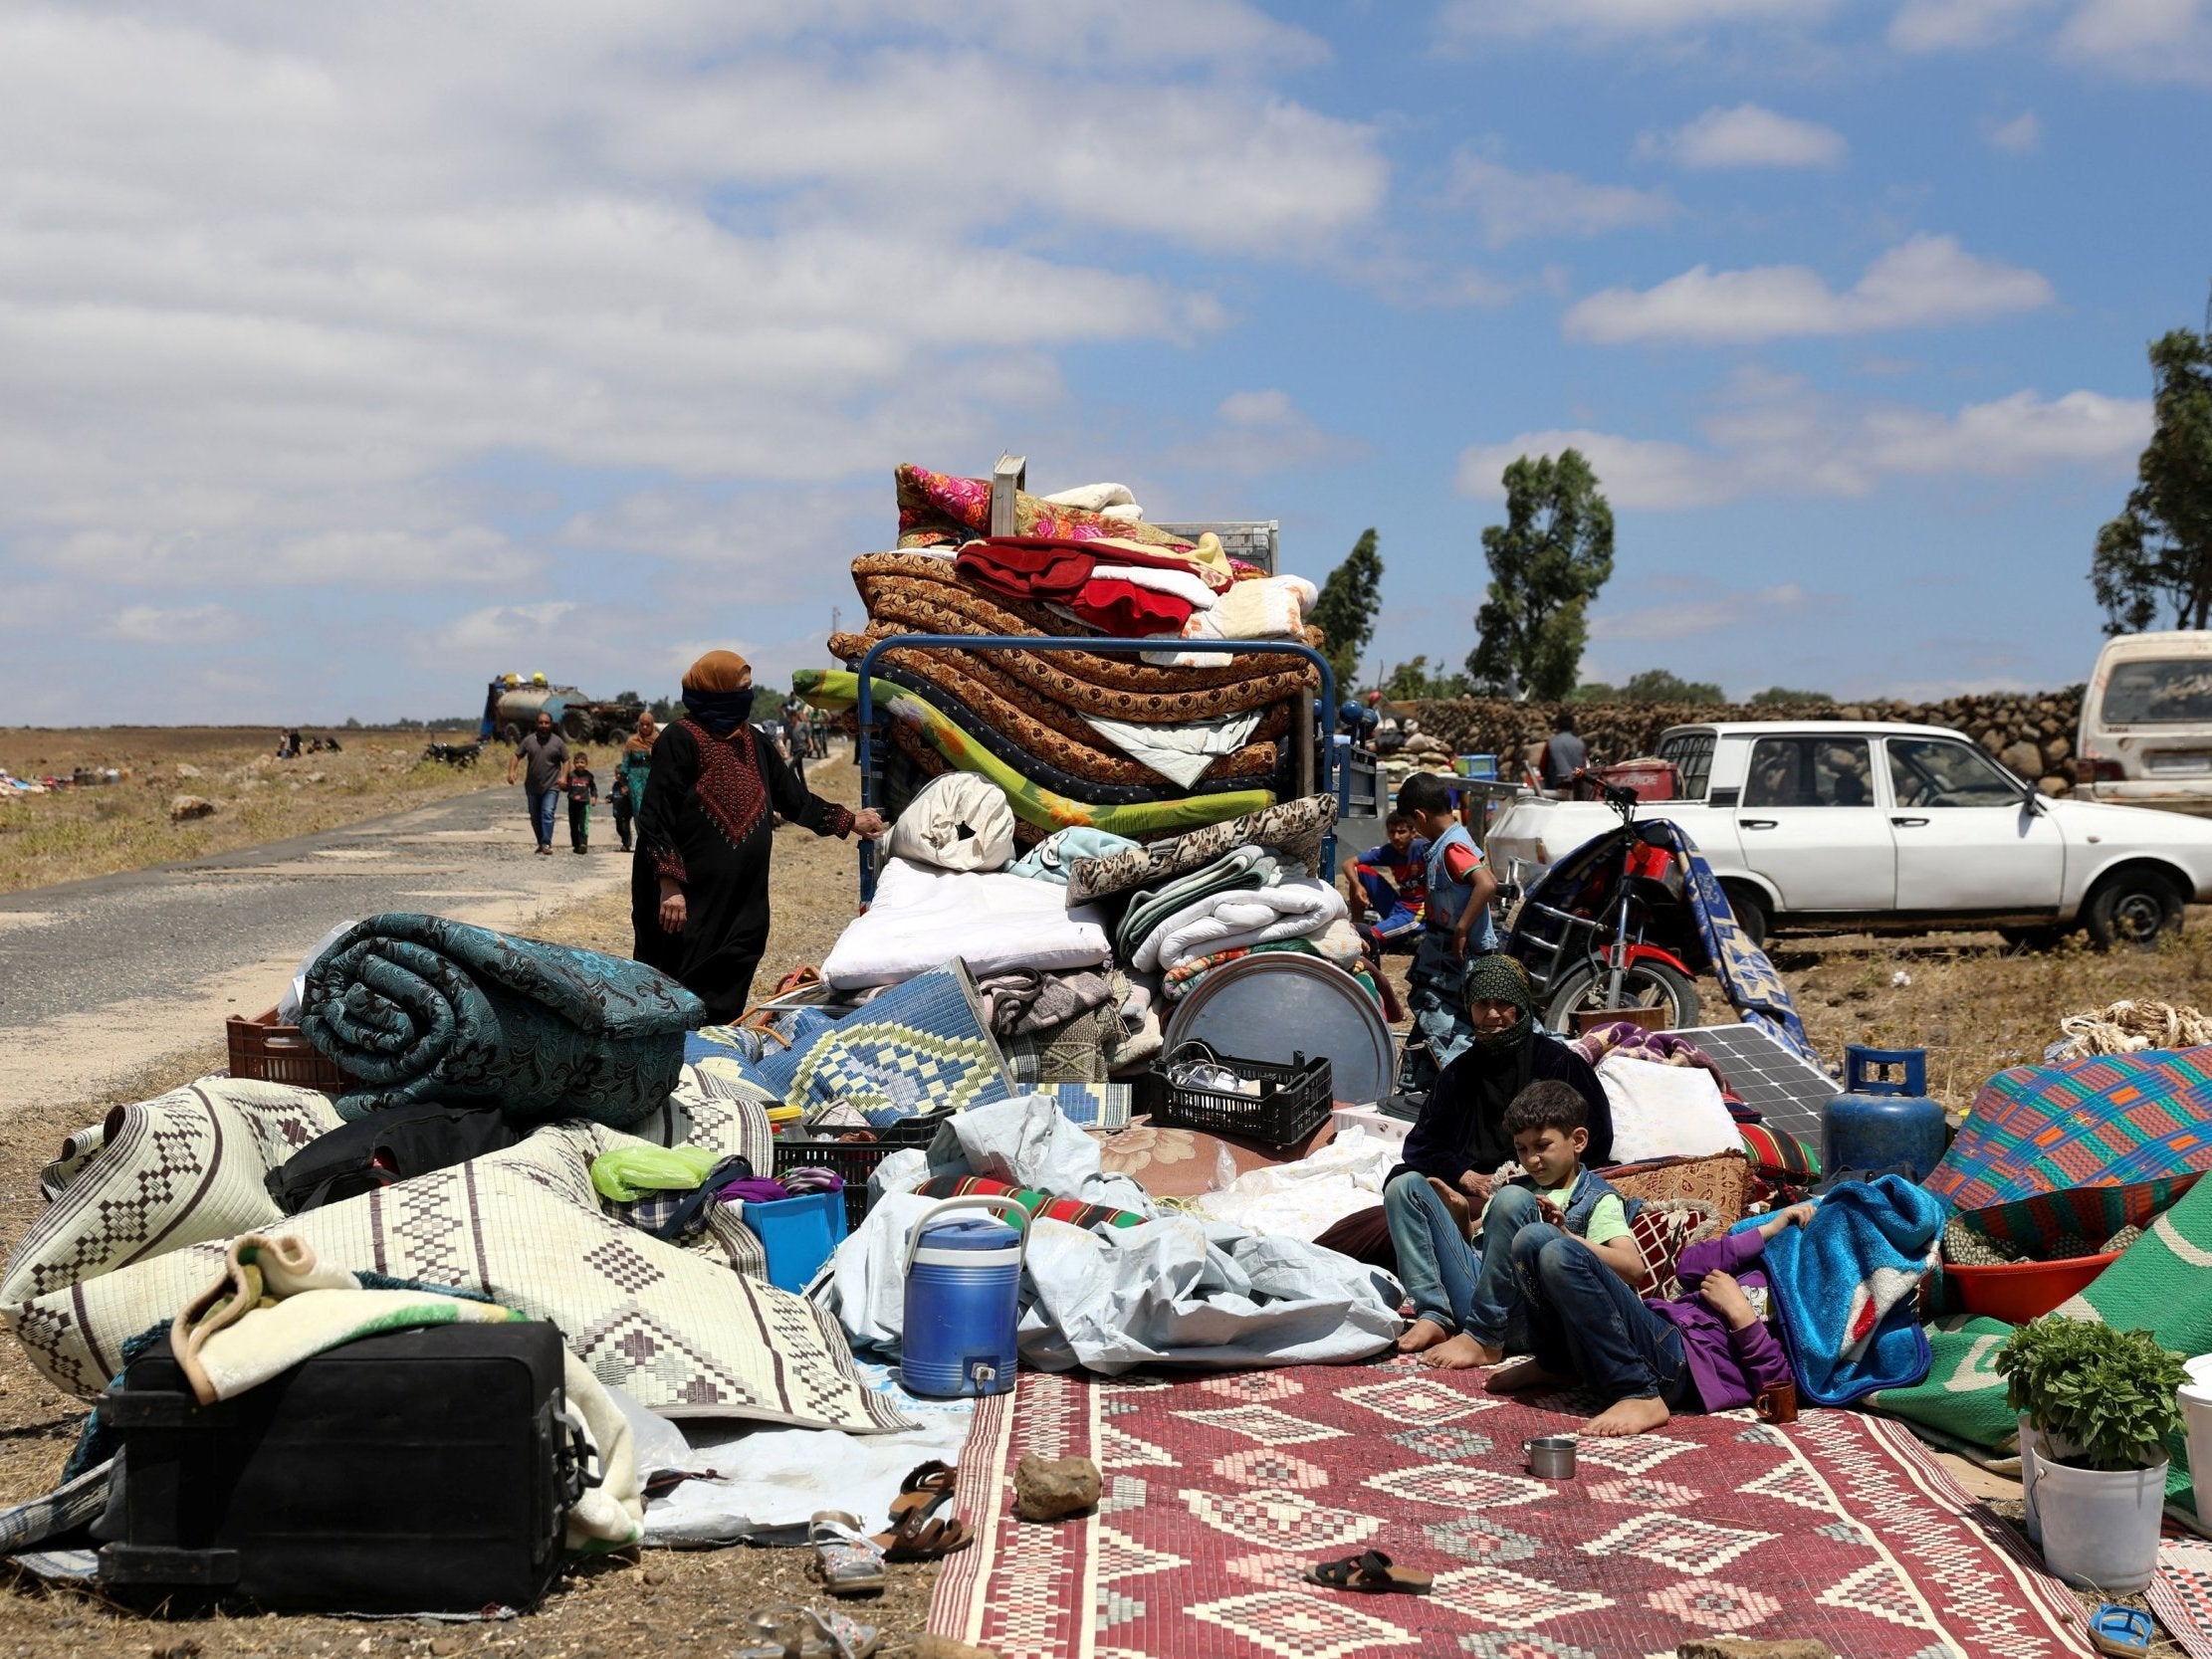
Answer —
1547 563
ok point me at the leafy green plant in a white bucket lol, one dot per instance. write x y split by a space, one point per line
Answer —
2096 1410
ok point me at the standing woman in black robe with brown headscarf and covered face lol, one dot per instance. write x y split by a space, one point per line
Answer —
705 835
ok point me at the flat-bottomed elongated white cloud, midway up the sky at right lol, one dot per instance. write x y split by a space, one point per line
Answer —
1926 282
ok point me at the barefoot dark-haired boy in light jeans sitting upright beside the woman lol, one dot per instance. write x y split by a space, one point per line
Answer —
1479 1295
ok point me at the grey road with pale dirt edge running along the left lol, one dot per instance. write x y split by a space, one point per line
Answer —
105 979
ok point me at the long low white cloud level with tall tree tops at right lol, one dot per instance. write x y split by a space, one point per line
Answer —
1773 439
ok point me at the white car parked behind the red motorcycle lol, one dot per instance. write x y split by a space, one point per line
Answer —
1833 826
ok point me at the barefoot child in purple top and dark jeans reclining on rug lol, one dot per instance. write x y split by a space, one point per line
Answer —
1707 1348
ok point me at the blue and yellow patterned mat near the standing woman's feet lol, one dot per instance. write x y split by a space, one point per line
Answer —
919 1047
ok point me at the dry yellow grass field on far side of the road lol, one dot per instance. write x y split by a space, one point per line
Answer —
127 826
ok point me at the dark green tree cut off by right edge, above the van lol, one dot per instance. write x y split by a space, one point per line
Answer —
2160 550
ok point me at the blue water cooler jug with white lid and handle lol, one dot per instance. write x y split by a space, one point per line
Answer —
963 1302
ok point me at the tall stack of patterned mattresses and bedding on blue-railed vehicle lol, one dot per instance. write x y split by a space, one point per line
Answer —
1136 744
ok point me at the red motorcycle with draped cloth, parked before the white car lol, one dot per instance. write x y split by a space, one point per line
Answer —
1614 928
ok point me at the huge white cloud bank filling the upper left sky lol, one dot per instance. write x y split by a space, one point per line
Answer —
282 286
